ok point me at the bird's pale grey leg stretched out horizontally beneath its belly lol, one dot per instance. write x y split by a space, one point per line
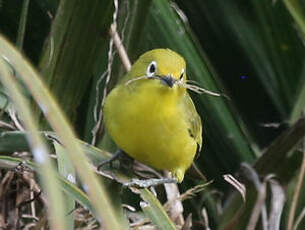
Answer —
149 182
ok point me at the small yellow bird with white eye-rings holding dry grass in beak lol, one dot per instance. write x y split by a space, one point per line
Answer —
150 115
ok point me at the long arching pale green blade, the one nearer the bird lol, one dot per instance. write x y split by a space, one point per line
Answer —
59 123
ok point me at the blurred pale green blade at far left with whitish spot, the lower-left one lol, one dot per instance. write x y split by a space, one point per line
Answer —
38 147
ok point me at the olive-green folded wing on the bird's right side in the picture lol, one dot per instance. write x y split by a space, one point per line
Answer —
193 120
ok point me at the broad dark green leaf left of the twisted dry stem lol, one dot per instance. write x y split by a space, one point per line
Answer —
71 50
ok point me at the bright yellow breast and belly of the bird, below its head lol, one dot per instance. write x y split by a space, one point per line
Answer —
148 123
